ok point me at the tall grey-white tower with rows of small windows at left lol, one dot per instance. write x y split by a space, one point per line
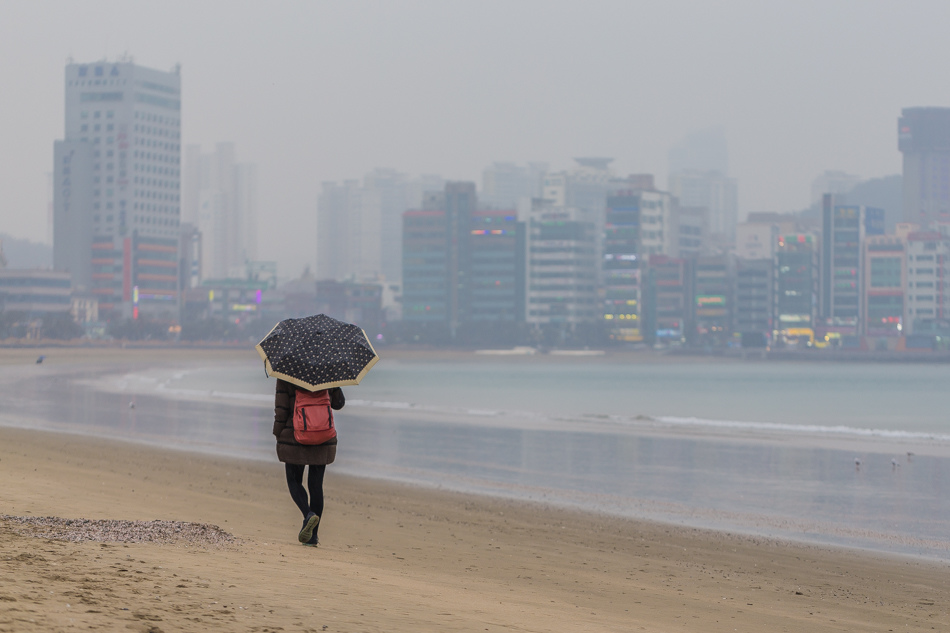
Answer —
116 192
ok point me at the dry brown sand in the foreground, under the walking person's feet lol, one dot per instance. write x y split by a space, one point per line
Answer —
396 558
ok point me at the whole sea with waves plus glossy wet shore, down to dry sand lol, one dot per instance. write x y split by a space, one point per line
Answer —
849 454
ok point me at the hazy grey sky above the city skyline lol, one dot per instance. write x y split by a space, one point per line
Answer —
314 91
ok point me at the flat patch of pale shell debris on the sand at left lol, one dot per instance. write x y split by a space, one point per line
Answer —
118 531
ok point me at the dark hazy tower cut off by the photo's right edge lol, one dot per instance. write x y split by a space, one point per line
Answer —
924 140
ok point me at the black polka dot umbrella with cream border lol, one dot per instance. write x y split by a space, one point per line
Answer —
317 352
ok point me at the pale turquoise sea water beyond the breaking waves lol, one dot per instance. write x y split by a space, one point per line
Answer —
887 398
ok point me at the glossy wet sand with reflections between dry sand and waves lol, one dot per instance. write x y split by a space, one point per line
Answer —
775 487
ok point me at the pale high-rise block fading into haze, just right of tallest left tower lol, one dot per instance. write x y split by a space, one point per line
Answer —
221 201
